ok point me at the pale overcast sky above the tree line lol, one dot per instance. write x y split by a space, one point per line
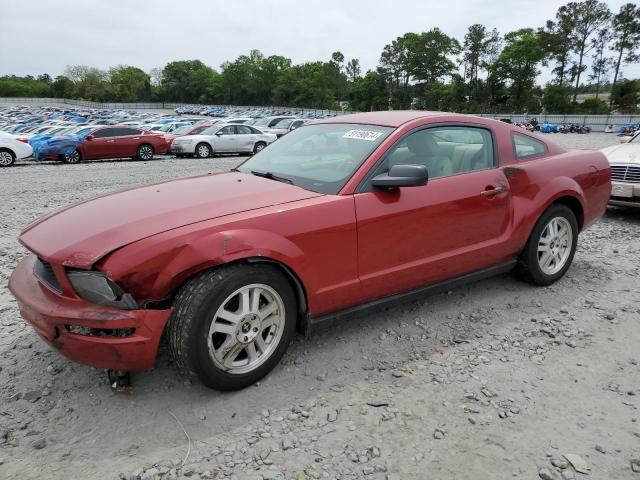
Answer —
44 36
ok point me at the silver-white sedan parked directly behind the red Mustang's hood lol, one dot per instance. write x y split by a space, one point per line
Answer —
232 138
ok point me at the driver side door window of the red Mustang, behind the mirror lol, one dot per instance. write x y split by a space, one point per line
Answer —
445 151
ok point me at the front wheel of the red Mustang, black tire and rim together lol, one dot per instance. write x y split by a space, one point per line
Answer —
226 353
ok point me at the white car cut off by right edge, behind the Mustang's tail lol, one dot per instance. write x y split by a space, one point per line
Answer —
625 172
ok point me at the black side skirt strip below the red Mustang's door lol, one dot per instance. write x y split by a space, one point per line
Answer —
311 322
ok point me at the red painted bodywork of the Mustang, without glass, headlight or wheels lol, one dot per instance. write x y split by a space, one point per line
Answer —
345 249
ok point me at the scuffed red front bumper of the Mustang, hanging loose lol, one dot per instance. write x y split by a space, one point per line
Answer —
84 332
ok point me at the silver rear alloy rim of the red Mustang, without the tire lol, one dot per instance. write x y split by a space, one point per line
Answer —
554 246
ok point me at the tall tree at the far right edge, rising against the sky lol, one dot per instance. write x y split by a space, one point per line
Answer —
626 36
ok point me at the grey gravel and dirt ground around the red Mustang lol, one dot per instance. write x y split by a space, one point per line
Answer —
496 380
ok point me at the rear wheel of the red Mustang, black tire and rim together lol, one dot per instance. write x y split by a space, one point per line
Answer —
551 246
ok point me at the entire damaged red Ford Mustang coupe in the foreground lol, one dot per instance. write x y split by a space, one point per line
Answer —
338 216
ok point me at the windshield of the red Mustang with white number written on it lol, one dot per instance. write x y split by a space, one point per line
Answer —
320 158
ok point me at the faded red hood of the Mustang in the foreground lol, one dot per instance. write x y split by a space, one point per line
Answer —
81 234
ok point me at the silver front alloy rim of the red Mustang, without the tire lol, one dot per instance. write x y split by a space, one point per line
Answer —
246 329
